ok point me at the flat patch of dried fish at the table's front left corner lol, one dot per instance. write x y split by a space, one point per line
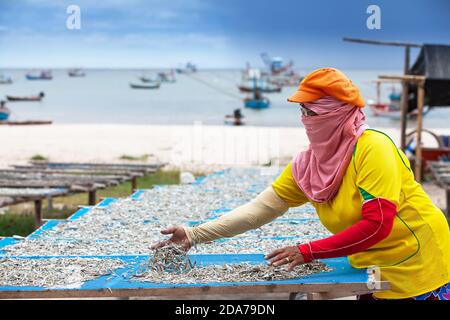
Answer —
54 272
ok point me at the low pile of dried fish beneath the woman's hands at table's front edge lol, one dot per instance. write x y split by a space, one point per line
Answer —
240 272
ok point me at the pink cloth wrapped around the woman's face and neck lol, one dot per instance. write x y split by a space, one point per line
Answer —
332 134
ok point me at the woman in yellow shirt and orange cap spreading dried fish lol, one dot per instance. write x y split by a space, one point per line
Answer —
363 190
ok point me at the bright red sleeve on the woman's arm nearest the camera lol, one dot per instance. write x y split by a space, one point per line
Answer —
376 224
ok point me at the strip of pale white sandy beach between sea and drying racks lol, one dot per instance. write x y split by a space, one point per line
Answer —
195 147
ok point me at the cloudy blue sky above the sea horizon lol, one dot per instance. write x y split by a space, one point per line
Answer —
213 33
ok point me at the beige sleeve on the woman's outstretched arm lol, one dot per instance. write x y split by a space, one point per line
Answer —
261 210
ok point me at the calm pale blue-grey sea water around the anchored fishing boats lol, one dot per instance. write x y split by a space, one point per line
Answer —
105 96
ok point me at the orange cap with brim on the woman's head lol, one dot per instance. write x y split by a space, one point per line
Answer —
327 82
